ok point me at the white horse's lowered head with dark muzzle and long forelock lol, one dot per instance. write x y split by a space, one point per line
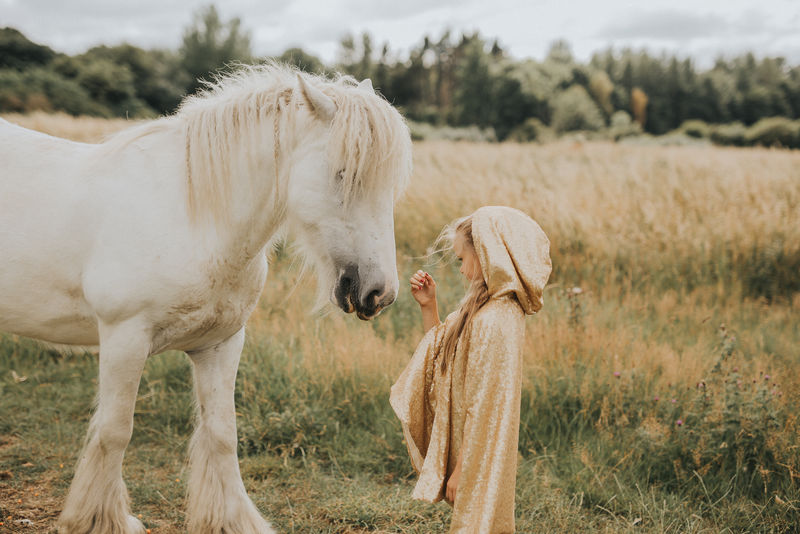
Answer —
351 155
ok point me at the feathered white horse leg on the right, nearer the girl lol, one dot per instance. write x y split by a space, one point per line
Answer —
218 502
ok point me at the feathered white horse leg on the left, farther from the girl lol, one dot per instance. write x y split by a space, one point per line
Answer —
97 502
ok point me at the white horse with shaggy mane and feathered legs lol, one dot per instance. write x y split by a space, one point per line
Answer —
157 240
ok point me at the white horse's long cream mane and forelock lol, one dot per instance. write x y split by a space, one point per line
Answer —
225 124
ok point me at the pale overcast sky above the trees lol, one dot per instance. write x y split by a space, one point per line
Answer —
702 29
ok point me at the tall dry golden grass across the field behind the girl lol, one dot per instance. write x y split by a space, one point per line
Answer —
657 228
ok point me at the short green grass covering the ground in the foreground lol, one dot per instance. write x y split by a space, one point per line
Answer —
325 453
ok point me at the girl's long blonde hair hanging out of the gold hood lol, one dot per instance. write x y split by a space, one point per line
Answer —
476 297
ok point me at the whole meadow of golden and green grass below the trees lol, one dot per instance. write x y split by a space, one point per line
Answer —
660 386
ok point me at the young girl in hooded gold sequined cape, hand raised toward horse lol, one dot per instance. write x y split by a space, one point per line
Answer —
459 398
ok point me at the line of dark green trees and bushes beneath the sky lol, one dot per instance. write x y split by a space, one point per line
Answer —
453 81
